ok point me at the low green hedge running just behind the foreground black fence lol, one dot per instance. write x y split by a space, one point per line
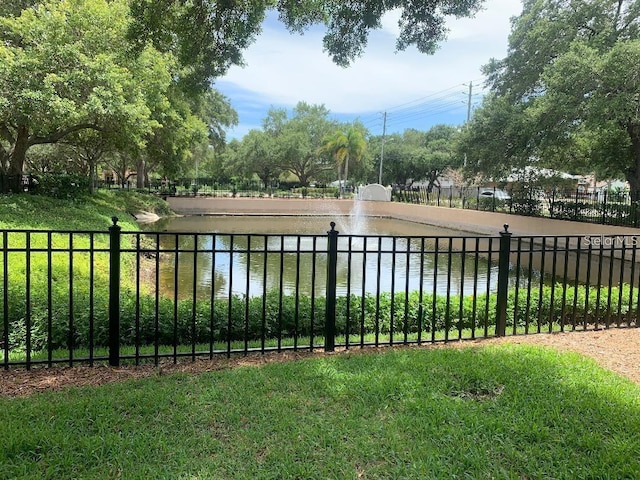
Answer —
286 316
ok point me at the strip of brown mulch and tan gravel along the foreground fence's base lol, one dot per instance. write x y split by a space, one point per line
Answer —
617 349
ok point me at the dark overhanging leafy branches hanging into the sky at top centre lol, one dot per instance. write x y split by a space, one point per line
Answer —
210 35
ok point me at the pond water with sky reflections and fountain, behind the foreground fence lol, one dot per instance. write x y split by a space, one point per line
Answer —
256 254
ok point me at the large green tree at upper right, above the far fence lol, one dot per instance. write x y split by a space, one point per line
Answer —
570 83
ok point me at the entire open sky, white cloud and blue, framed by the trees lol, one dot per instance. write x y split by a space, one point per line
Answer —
414 89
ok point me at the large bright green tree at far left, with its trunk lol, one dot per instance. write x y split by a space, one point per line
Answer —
64 68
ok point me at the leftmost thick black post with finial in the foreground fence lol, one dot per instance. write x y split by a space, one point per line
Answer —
114 293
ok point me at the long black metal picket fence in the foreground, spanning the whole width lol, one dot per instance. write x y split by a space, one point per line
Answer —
87 297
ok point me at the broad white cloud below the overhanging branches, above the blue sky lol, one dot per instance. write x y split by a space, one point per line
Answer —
283 69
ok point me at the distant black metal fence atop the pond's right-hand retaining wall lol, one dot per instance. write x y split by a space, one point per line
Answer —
603 207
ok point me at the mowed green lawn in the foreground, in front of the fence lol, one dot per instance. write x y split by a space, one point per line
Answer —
479 412
